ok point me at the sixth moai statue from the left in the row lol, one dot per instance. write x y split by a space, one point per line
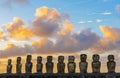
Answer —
61 64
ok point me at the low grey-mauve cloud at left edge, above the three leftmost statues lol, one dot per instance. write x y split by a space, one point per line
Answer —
13 50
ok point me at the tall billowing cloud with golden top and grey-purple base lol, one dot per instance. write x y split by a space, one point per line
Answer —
46 21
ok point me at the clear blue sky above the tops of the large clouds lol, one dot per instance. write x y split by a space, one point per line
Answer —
83 13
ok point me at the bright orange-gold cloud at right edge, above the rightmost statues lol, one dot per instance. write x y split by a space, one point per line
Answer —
109 42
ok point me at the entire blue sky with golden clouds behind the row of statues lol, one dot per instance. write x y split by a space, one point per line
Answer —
59 27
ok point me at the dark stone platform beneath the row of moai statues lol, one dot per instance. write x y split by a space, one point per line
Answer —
66 75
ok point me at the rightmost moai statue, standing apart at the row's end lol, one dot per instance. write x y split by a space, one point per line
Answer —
111 64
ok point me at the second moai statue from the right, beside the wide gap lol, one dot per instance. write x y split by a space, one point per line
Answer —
96 64
